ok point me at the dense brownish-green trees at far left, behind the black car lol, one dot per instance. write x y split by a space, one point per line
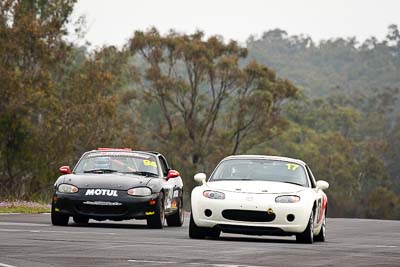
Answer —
55 102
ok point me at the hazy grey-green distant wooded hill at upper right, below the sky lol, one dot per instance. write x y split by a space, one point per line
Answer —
319 67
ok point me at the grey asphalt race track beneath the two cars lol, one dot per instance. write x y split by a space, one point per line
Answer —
30 240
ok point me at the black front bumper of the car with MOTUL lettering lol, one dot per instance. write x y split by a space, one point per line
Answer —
101 208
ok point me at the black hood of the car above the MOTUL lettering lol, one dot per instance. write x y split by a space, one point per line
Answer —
106 181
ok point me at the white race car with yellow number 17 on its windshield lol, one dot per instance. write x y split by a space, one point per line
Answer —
259 195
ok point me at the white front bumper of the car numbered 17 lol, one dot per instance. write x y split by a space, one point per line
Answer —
279 219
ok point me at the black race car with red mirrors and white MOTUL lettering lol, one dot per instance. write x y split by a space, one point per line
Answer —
119 184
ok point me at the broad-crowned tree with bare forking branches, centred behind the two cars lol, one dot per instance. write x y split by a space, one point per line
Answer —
209 103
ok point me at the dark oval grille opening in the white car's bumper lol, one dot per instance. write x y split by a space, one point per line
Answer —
248 215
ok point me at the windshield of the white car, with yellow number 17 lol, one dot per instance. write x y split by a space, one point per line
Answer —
260 170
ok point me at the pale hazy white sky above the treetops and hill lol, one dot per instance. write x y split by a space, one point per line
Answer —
113 22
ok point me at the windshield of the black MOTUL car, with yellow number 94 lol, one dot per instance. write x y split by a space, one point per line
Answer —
107 162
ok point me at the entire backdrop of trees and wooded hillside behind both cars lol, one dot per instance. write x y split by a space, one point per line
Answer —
197 100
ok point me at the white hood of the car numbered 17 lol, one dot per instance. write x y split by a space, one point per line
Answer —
256 187
